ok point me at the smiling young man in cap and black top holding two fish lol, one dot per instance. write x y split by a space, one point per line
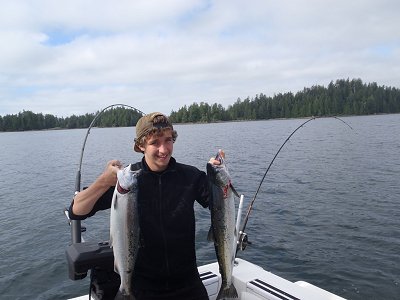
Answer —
166 263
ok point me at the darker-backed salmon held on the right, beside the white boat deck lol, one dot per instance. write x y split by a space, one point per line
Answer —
222 231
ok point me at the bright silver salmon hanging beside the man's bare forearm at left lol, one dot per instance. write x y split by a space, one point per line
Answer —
124 231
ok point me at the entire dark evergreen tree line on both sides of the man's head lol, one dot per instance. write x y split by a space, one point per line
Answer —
342 97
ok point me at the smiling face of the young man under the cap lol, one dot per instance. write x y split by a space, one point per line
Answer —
158 150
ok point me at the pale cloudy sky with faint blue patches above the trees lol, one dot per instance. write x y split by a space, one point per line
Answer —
79 56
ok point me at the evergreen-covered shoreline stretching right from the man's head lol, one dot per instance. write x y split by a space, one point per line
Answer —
343 97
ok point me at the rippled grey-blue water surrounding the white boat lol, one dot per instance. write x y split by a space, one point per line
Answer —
328 211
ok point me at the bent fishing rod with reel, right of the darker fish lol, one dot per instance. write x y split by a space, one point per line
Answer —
243 239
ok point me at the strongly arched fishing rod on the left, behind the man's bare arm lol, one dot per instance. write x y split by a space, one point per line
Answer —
76 228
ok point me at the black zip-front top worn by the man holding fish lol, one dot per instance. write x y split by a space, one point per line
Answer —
166 257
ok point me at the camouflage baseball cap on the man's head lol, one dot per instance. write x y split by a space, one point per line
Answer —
148 123
